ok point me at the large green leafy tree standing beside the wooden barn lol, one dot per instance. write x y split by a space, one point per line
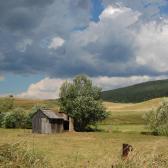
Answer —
81 101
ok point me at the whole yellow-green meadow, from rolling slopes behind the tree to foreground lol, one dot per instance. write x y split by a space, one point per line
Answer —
100 149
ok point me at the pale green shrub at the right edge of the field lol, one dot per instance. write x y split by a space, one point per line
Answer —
157 120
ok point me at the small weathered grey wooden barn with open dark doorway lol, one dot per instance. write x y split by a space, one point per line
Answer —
46 121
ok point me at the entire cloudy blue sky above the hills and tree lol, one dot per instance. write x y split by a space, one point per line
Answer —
116 43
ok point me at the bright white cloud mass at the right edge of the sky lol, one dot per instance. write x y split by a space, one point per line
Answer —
152 50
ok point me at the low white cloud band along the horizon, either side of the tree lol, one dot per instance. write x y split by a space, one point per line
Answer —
49 88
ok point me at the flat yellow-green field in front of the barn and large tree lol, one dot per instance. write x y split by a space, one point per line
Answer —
90 150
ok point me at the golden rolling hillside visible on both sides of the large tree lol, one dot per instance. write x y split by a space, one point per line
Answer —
120 113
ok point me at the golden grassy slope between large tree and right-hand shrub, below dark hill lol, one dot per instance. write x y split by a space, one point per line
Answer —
129 113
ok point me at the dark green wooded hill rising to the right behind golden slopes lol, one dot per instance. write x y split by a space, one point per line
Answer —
137 93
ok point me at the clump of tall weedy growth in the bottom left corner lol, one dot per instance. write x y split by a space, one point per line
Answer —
15 156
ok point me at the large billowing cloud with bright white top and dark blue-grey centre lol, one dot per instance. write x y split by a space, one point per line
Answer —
108 44
